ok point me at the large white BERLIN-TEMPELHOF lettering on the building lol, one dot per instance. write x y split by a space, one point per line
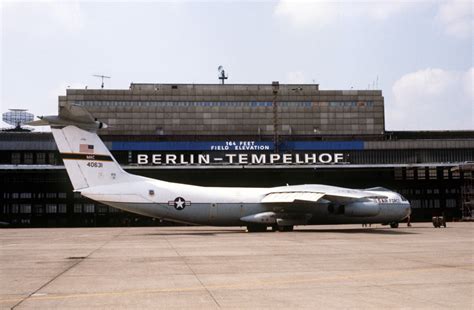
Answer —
240 159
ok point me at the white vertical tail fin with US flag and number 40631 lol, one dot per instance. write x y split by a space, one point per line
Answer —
87 160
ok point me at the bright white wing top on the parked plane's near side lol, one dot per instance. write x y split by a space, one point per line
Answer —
305 196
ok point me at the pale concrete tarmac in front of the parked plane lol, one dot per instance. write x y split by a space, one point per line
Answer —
315 267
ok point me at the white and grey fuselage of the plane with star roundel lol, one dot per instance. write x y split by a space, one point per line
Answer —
221 206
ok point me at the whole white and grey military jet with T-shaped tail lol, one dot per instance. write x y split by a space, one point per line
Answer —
96 174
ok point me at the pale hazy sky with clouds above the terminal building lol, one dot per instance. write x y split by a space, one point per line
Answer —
419 53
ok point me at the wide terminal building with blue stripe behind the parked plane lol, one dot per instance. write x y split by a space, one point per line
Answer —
238 135
